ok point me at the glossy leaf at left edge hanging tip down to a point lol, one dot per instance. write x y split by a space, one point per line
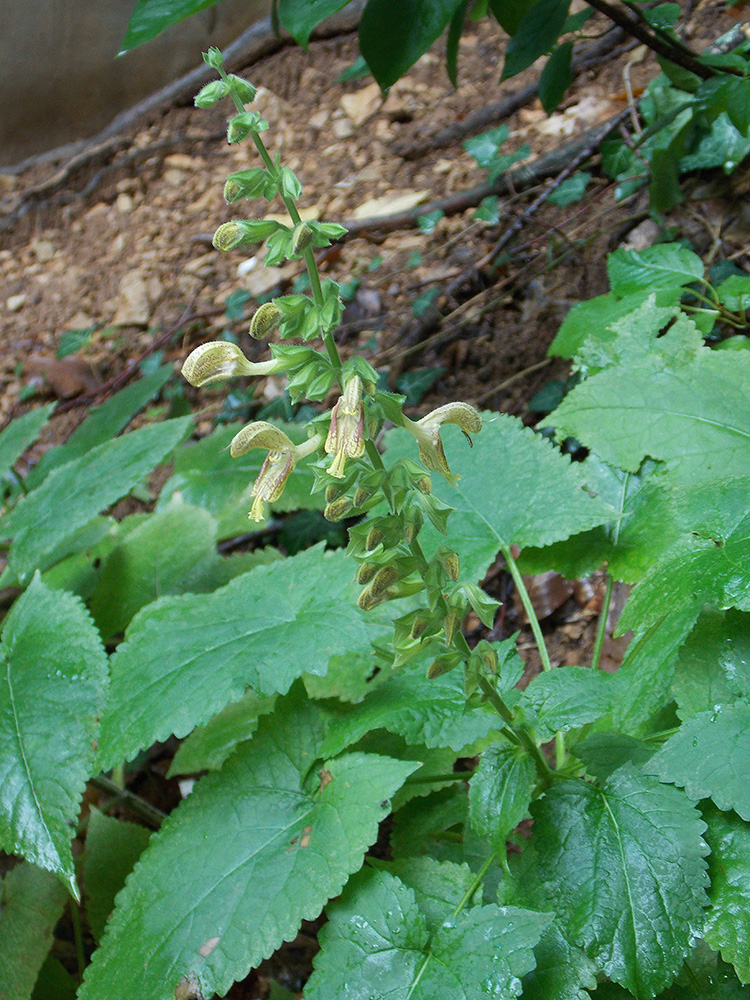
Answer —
55 676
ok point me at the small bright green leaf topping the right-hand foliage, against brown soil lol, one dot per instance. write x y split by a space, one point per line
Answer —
661 266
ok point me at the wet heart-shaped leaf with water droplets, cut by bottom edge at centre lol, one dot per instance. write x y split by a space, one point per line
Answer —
377 943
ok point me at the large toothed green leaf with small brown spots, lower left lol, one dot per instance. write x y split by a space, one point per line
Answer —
256 848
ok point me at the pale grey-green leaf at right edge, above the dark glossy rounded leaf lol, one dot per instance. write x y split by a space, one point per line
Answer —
708 757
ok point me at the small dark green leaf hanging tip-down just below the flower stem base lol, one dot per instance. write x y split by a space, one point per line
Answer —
500 793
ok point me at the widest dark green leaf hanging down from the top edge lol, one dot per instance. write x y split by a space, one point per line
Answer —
392 35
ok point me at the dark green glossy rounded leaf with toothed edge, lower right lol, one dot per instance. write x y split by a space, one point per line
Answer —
623 865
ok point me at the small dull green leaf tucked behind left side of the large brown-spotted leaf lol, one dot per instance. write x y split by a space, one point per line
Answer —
112 848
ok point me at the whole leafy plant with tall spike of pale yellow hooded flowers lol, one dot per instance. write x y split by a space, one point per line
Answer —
319 711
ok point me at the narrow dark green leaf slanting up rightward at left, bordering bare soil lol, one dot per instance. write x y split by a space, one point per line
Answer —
102 423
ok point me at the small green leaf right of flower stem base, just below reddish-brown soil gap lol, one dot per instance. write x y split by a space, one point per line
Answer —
567 698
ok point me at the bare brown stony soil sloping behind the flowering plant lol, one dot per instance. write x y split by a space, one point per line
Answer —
118 250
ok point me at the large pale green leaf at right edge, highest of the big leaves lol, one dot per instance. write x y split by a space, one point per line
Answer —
695 416
